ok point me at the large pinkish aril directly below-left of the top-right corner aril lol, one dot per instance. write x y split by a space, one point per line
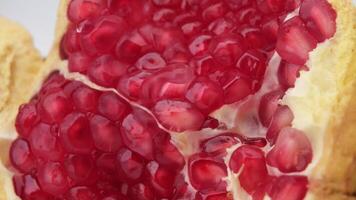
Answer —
295 42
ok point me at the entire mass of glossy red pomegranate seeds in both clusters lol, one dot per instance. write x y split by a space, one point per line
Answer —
172 64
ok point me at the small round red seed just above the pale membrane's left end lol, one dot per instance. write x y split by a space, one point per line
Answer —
79 62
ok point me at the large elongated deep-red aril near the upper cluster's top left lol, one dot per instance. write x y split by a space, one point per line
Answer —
104 36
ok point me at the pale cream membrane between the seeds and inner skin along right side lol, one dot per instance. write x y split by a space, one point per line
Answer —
312 102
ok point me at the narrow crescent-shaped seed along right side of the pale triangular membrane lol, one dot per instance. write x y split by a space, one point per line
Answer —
268 106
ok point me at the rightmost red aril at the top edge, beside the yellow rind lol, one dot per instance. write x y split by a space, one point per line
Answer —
319 17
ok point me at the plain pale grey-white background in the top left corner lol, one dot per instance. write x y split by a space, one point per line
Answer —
38 16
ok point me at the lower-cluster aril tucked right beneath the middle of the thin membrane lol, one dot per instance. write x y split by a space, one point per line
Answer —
137 136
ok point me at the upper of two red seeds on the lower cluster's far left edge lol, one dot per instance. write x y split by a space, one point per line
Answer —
26 119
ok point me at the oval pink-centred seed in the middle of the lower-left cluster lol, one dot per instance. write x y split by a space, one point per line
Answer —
105 134
